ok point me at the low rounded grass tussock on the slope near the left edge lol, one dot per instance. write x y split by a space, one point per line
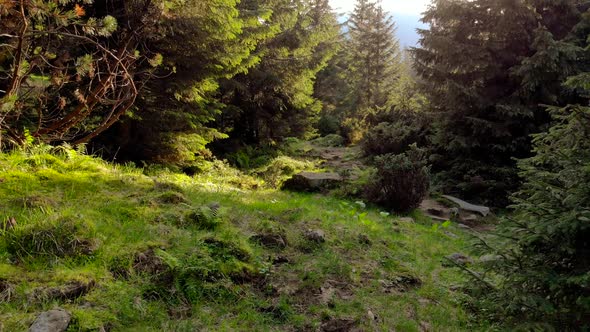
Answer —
64 237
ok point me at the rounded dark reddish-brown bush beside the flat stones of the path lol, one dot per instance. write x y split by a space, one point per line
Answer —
401 180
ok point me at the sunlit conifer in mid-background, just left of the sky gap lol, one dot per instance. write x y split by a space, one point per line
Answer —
275 98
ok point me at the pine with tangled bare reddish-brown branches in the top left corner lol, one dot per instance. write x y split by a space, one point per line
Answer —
68 71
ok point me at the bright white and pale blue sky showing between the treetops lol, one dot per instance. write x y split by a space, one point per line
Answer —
406 13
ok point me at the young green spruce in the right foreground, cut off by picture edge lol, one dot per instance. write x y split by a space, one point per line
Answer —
544 265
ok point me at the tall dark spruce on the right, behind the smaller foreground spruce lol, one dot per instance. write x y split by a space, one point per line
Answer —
474 61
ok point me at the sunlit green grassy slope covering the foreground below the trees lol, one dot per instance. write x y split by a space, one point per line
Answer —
210 276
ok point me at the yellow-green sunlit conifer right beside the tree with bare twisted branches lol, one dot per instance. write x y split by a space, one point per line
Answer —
203 42
